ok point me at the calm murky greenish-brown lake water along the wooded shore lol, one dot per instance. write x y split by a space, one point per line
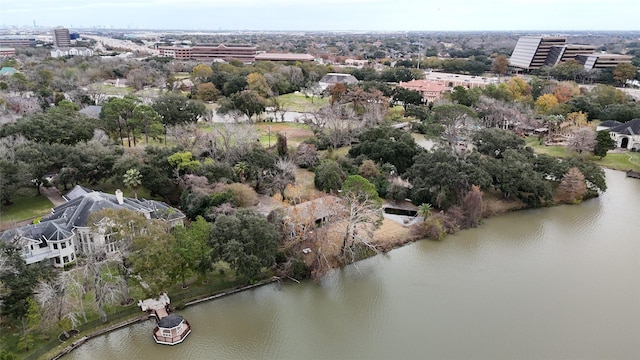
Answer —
558 283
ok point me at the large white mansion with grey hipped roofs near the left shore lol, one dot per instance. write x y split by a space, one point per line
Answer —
66 232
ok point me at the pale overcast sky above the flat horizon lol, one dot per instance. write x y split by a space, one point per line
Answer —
401 15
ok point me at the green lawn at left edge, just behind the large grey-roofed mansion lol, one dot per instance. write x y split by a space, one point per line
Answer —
26 205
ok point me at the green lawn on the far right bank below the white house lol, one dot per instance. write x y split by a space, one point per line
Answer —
614 160
